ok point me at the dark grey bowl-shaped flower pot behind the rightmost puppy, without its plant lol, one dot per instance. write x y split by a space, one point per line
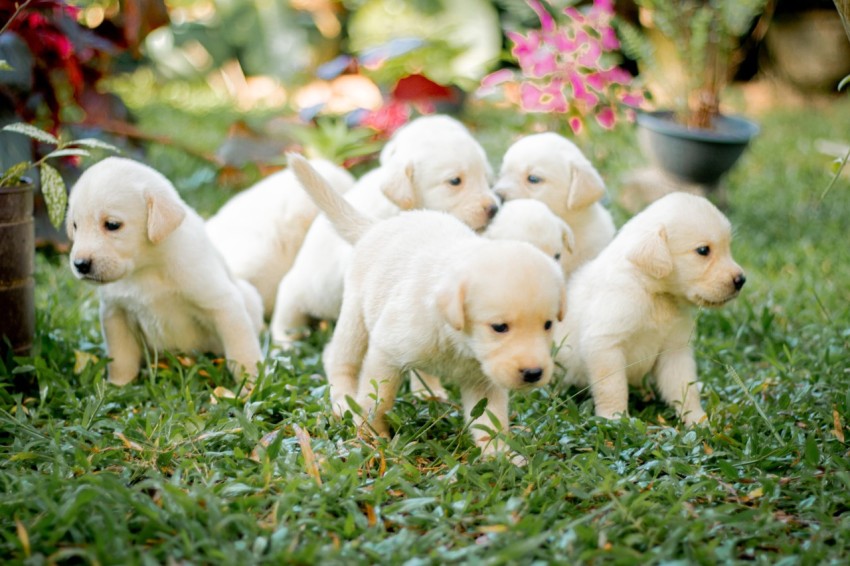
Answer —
694 155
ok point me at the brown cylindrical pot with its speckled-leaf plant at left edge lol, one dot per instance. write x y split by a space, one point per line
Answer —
17 246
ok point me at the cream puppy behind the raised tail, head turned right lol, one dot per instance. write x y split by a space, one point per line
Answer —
432 163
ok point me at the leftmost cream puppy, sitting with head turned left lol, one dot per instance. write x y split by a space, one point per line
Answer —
161 283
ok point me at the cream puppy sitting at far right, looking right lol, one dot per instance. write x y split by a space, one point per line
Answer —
632 308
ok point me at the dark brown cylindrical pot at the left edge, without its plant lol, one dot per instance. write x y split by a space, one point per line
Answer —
17 263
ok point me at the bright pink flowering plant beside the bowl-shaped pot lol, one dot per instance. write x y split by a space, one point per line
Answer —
568 67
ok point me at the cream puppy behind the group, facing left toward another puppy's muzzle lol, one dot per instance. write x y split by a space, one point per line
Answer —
550 168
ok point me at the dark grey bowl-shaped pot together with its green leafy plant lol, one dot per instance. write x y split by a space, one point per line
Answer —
692 141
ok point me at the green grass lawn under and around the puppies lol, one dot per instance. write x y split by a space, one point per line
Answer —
157 472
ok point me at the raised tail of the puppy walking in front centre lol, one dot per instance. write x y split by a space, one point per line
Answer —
349 222
